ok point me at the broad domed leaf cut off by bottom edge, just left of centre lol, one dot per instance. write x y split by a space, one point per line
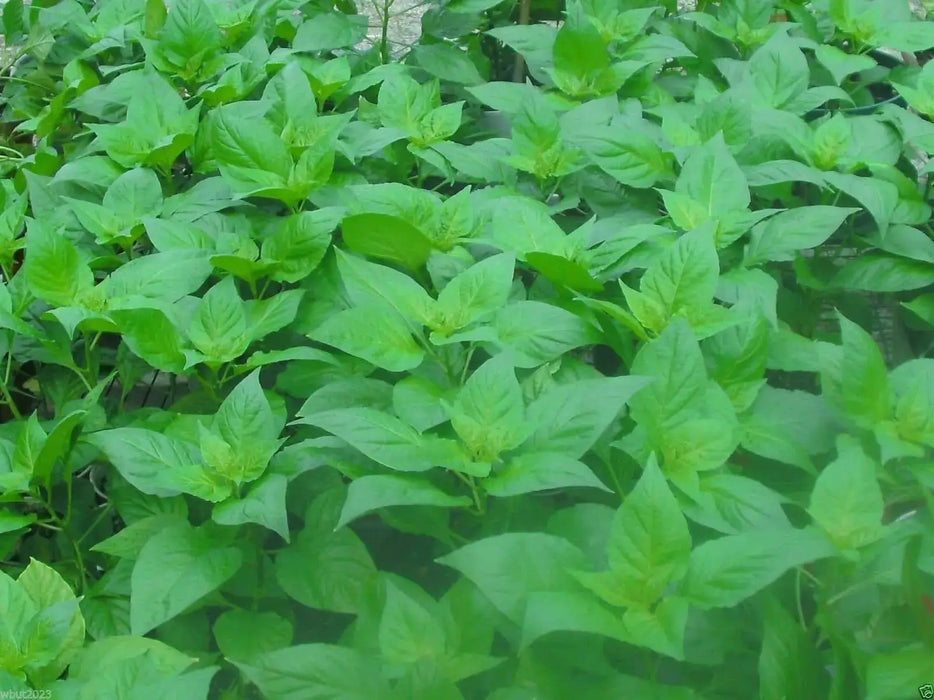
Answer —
316 671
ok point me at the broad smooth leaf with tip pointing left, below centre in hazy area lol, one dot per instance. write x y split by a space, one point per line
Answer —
509 568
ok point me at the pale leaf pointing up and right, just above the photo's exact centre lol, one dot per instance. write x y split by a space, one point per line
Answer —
477 291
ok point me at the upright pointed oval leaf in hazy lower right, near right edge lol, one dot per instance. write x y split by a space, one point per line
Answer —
847 501
